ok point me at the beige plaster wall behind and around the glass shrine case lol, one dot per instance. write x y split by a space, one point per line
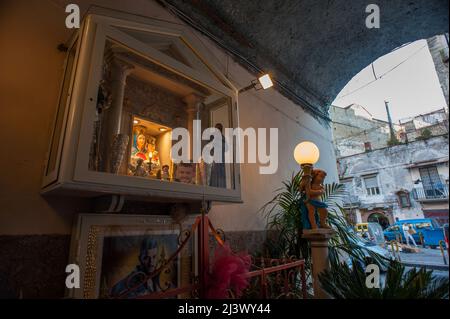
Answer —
31 74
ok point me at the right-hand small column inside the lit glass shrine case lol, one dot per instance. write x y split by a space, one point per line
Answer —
194 103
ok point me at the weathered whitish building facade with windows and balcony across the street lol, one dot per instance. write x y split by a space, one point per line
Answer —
404 181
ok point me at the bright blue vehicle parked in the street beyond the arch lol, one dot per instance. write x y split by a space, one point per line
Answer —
431 231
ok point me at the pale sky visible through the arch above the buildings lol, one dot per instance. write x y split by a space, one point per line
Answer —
412 88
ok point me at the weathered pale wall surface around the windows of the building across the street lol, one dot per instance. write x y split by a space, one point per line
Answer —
390 165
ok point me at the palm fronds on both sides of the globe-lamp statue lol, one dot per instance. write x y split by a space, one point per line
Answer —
284 216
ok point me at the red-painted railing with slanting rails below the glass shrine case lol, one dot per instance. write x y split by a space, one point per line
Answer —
286 271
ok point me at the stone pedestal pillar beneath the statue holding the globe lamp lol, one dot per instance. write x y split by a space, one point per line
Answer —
318 239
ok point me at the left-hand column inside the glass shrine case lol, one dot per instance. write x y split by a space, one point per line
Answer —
117 141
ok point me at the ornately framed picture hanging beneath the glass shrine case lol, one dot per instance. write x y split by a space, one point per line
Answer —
133 256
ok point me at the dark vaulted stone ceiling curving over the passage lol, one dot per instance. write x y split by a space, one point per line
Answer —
312 47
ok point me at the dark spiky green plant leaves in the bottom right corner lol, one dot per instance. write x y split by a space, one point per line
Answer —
341 282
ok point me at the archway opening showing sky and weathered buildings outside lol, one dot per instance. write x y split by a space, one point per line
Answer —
395 113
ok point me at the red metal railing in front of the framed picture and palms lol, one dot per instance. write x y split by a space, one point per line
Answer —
287 275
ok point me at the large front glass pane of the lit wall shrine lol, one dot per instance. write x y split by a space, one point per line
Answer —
151 123
